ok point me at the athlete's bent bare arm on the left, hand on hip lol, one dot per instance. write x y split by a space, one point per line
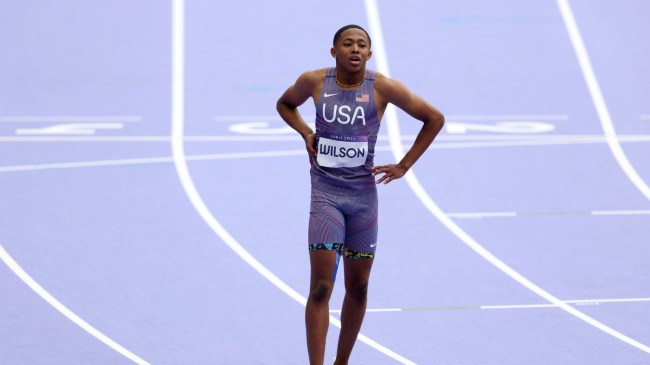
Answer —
309 84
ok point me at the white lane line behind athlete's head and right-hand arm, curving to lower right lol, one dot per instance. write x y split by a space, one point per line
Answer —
381 59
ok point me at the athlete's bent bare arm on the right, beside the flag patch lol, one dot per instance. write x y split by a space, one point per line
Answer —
392 91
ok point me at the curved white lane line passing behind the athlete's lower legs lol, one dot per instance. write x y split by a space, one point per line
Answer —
178 111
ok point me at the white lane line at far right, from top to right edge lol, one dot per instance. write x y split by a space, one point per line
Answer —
598 99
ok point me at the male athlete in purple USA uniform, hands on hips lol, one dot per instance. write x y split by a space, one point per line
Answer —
350 101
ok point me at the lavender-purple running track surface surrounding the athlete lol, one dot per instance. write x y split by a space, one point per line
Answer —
113 253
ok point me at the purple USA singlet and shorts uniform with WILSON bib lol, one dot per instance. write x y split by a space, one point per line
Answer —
343 213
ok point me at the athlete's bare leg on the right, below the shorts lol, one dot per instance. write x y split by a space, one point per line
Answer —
357 274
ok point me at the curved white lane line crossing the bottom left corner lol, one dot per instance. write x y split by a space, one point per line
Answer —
52 301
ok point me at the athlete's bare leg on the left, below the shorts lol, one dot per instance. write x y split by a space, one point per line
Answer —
317 310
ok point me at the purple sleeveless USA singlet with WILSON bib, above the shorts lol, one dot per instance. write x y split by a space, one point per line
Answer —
346 134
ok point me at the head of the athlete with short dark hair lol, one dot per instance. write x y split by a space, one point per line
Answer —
352 50
